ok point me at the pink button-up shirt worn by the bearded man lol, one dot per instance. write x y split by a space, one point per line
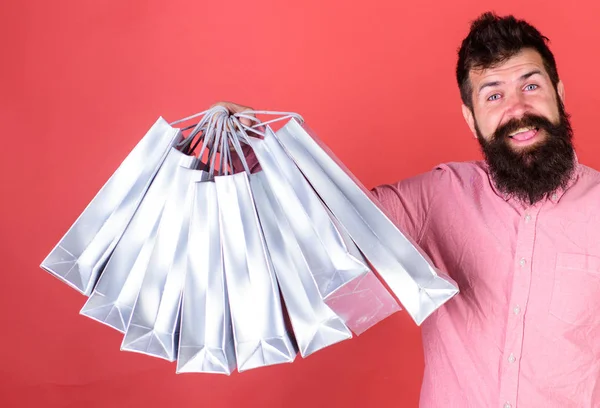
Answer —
525 329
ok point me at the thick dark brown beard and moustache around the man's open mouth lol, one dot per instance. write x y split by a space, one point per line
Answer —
532 173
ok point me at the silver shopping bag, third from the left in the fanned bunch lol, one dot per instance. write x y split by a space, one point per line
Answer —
154 324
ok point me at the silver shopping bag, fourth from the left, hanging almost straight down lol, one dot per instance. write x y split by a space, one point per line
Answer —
206 337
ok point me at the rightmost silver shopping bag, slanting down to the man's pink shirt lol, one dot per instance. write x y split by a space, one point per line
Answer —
407 270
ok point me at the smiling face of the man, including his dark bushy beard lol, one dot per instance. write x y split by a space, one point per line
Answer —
524 132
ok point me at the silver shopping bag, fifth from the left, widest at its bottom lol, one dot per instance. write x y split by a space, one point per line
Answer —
260 334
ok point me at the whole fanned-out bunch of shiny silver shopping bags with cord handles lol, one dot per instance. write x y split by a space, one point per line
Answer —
203 262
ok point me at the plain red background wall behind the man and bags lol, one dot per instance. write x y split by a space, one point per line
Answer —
82 80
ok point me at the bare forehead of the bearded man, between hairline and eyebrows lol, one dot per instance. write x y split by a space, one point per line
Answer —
514 67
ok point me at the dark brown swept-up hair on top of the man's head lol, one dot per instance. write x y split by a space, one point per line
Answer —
493 40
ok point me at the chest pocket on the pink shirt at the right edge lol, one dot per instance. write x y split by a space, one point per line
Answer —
576 291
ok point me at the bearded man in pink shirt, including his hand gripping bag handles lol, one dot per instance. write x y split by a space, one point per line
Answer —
519 232
